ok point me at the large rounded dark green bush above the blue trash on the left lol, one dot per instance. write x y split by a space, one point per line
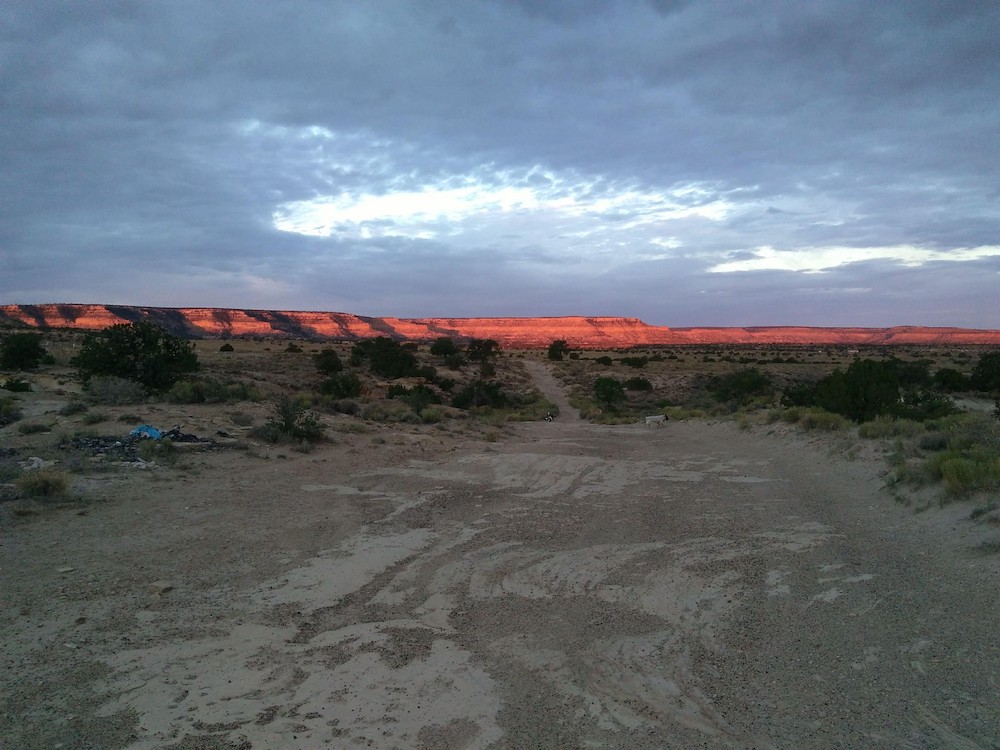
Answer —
141 352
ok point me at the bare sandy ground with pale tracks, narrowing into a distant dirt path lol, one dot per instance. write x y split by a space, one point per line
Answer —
567 586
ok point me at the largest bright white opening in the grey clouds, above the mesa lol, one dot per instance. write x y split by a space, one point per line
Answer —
533 204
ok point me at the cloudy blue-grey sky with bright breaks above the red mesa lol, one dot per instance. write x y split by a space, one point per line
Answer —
686 162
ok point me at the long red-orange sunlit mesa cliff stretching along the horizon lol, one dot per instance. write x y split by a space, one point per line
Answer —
526 333
